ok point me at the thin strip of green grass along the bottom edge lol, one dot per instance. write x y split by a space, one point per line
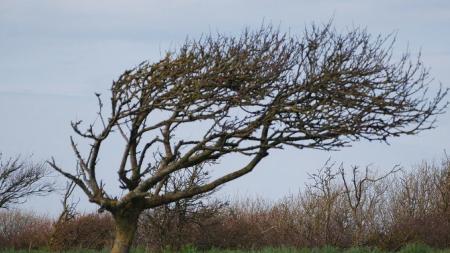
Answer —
413 248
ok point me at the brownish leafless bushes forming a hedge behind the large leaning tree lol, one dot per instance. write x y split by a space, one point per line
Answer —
387 212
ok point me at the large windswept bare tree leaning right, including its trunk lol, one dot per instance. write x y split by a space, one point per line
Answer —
245 96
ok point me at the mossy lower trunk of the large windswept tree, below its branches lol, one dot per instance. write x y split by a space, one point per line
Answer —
126 226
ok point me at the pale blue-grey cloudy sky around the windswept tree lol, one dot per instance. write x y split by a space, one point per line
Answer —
54 55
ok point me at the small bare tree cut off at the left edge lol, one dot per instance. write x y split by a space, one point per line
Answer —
20 179
